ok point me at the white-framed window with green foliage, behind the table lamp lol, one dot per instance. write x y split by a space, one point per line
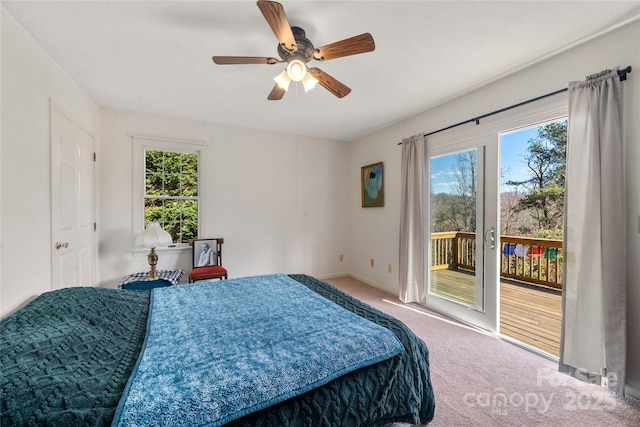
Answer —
171 186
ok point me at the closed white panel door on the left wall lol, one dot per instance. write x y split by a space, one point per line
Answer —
73 203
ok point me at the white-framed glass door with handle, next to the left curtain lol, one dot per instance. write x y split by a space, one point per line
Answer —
462 219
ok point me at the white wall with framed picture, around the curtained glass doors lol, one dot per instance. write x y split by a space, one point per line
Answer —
374 232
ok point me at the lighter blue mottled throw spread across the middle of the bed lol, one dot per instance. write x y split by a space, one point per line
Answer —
217 351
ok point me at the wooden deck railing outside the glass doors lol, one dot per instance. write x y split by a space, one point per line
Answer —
537 261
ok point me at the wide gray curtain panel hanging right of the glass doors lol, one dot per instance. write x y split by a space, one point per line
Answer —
593 342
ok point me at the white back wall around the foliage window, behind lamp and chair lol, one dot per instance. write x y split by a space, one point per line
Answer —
277 199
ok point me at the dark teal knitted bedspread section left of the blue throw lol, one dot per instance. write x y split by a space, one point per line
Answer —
66 357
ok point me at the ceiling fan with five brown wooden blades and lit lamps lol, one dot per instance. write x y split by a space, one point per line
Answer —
296 50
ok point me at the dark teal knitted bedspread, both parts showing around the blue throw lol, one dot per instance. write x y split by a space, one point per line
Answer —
65 359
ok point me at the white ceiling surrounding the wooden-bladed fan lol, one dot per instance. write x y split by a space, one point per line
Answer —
155 56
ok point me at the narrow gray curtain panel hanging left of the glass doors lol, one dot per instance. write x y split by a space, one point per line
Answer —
412 261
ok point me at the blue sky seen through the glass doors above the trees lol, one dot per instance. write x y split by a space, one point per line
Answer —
513 146
